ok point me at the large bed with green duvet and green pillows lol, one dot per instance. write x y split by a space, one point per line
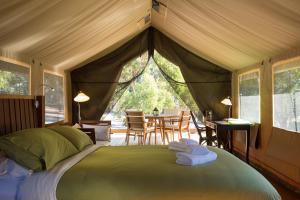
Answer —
131 172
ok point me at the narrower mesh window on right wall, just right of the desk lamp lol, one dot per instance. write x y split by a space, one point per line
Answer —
249 96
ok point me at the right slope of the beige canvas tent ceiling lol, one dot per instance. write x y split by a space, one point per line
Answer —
232 33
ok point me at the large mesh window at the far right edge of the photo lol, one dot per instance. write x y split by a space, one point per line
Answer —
286 96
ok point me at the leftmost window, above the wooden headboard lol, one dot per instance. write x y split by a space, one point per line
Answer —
14 79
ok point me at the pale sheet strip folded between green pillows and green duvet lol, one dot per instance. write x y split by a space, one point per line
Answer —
42 185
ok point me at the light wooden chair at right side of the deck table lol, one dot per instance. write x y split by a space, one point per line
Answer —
182 125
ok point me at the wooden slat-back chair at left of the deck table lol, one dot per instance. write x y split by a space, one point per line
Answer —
136 126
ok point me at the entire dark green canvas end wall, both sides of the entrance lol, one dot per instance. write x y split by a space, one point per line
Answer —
207 82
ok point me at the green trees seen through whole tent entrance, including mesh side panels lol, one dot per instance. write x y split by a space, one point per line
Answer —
151 89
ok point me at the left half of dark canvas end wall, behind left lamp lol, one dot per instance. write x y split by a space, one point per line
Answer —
99 79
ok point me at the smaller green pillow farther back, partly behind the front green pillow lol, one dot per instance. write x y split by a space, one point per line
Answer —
78 138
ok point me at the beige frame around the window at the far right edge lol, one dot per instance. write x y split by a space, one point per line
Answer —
274 65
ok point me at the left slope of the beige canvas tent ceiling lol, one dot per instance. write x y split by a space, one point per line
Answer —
64 33
